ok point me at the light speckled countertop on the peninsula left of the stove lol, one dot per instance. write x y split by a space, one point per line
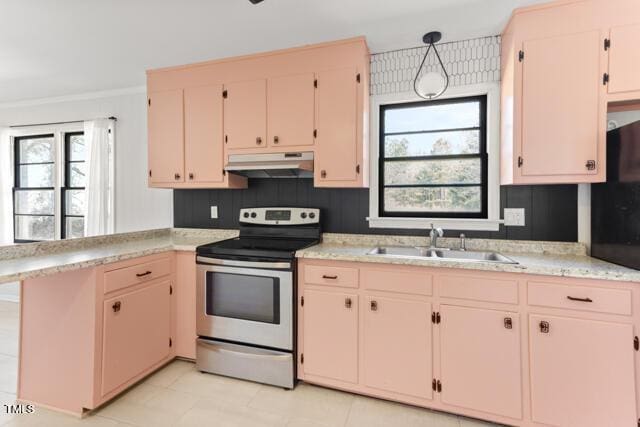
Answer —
18 262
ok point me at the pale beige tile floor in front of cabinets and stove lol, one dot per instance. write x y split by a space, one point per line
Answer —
178 395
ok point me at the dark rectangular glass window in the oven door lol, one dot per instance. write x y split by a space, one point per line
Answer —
255 298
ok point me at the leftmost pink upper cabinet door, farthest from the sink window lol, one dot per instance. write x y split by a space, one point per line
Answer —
166 137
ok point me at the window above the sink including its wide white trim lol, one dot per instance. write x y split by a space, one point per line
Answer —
438 161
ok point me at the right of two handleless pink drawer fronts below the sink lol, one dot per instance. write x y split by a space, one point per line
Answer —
478 289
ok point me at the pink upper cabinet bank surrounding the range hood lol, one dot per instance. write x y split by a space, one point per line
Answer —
312 99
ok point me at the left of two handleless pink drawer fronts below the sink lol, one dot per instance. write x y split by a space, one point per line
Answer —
397 280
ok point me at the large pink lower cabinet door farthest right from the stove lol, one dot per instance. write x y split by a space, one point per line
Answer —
582 372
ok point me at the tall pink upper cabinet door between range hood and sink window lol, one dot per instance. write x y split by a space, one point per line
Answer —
337 120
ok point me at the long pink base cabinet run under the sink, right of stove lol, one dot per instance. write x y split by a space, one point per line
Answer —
512 348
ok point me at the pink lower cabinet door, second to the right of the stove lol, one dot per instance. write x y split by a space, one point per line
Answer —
398 346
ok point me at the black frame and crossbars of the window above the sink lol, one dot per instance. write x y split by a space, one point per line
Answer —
482 155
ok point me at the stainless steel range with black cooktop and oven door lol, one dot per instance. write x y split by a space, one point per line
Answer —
246 294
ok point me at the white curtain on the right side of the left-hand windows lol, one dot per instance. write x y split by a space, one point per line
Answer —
98 215
